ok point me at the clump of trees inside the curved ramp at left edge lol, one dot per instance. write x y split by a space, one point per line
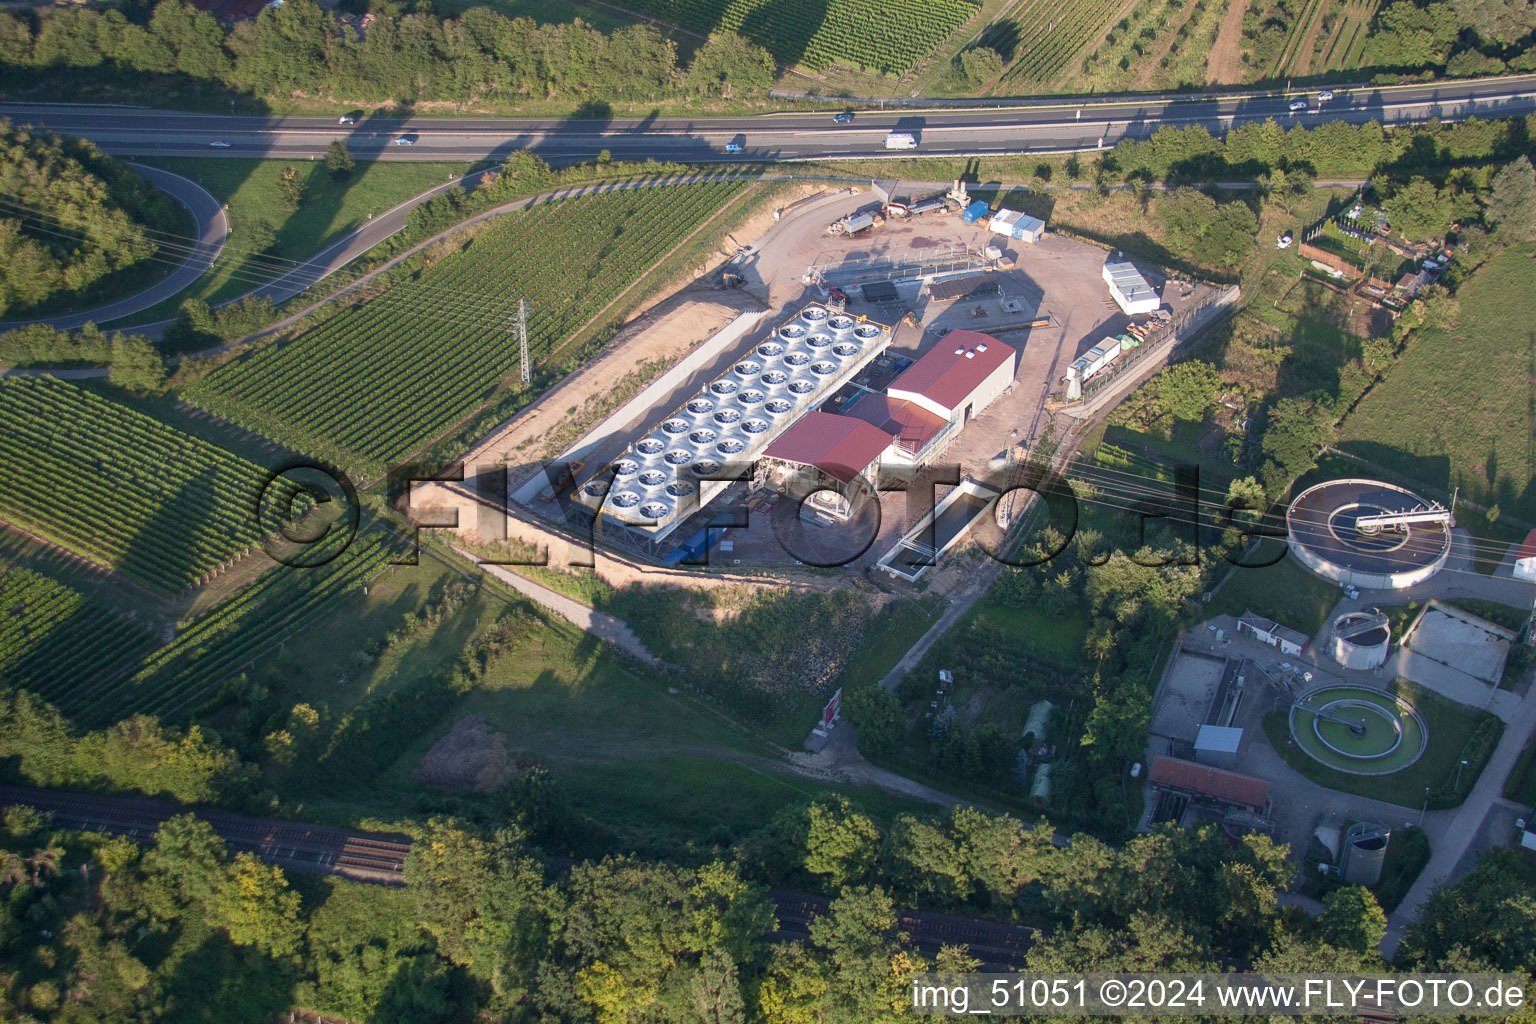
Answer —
70 216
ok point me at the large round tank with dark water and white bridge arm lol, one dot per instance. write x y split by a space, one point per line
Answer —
1322 526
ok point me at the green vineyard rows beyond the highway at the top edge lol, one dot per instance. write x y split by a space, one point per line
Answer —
866 35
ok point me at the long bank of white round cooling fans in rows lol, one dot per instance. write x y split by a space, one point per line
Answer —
666 477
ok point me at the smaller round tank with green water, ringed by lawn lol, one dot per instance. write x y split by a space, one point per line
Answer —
1359 730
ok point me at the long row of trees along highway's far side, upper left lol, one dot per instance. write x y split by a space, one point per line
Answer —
302 50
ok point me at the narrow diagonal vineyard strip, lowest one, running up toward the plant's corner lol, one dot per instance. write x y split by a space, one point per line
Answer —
233 633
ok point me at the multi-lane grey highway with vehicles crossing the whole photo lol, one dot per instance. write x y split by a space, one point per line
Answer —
1039 127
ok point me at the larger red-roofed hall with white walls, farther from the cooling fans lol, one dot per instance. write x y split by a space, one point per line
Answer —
924 409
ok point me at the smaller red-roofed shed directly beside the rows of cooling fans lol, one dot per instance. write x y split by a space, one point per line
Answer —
833 460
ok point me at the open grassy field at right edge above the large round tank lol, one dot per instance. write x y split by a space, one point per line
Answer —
1446 414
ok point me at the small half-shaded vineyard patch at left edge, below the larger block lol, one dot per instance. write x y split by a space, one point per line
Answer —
55 641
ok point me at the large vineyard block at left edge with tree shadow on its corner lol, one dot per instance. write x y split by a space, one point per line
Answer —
121 489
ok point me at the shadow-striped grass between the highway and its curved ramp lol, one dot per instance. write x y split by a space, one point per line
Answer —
331 210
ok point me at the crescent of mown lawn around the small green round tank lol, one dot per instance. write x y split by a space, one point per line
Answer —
1454 736
